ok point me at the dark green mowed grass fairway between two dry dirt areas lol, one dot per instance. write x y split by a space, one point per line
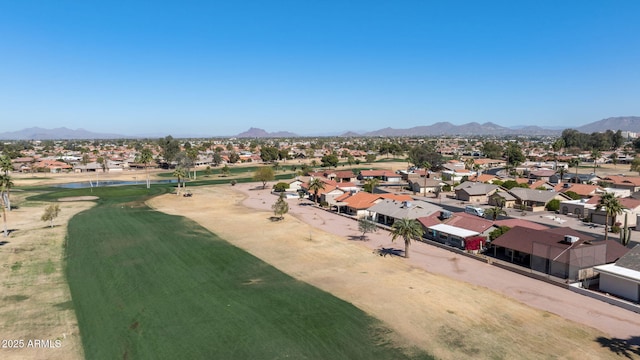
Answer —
147 285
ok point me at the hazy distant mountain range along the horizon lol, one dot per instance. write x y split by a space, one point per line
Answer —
625 123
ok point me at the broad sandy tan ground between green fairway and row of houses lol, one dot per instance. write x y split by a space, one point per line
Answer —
447 304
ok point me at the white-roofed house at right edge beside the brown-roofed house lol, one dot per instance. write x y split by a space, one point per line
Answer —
622 278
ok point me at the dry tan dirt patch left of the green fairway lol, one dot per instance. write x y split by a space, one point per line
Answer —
38 321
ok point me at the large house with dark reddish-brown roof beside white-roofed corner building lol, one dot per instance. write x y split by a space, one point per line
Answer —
560 252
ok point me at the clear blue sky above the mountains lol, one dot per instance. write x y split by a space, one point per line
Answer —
314 67
